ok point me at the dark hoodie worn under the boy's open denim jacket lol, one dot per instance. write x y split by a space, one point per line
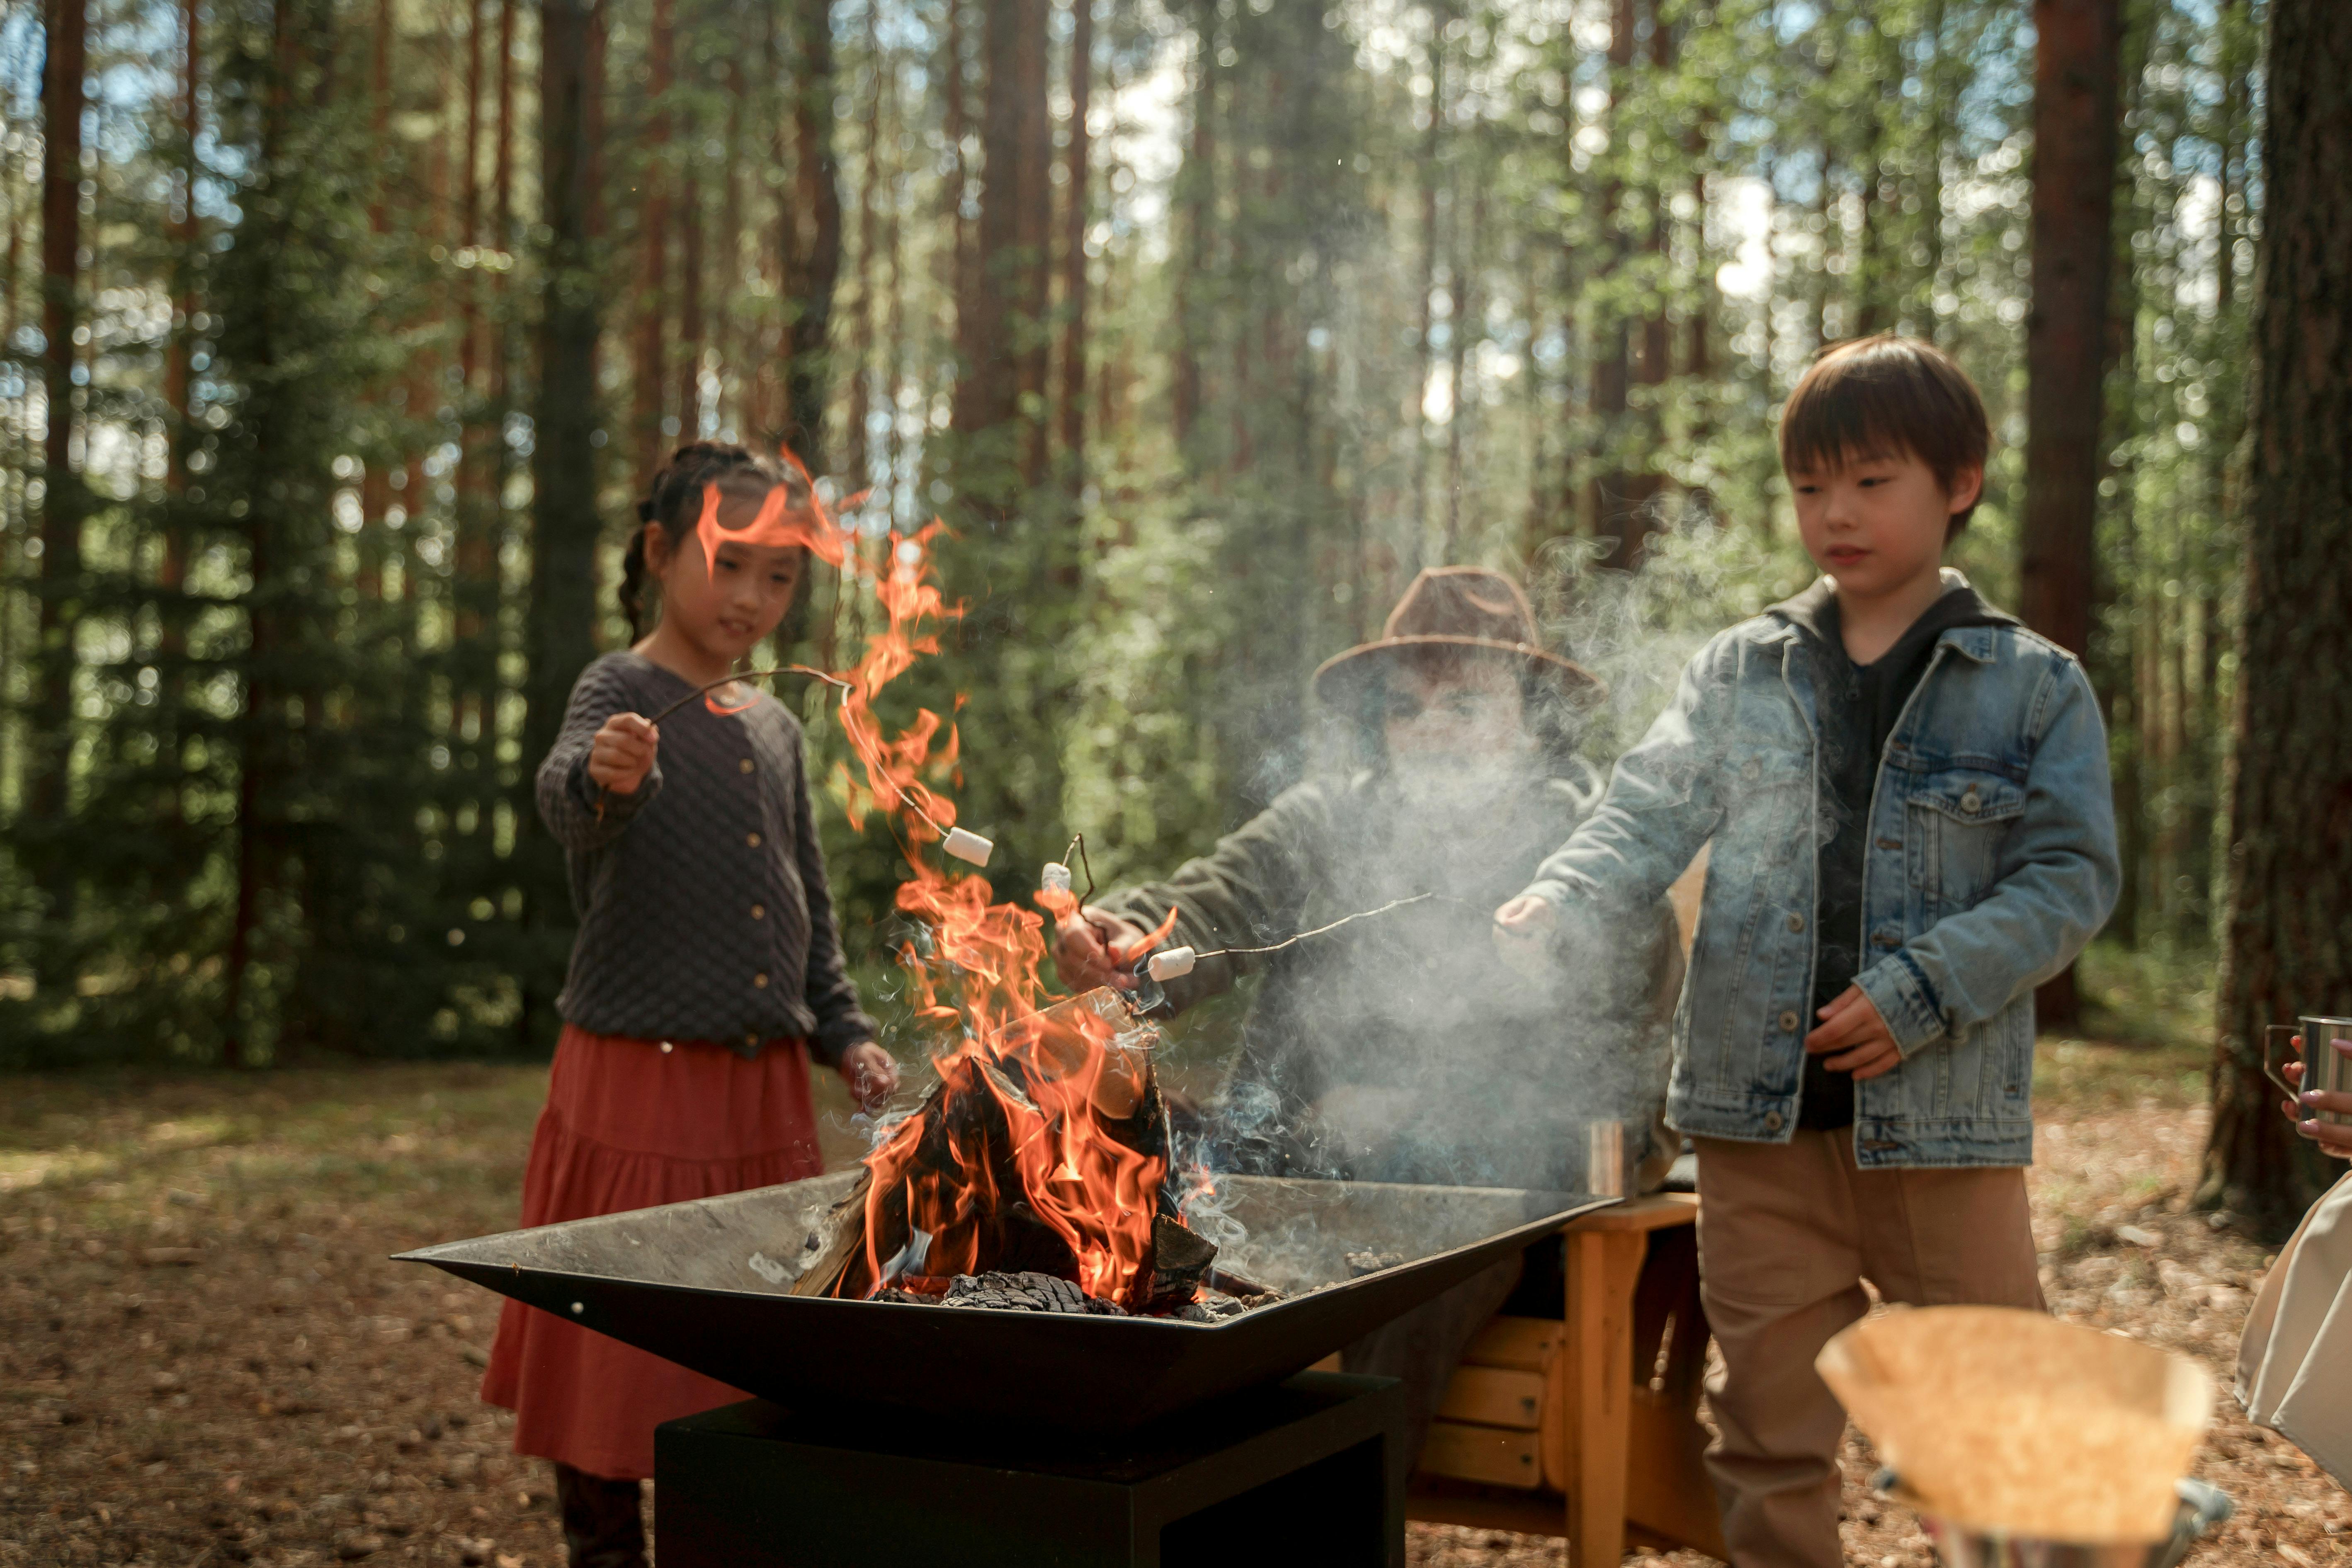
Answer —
1859 711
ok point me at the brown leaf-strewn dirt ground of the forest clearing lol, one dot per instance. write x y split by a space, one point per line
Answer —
208 1360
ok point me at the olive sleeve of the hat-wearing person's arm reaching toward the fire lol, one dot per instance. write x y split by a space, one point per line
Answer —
1243 894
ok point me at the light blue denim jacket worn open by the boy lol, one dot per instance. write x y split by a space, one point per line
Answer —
1991 866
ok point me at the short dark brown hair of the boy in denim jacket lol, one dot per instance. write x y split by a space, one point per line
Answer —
1885 396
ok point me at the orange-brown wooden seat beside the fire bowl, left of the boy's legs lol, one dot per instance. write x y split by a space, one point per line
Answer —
1589 1426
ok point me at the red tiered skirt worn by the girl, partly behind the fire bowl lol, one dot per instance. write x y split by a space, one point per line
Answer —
629 1127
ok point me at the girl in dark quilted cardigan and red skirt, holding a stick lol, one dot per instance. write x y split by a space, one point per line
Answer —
704 977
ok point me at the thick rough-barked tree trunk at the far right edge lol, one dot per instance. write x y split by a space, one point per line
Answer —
2290 913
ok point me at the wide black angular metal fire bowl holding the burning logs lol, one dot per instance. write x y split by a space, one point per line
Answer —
704 1285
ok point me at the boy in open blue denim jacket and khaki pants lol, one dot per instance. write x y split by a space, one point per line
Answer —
1906 798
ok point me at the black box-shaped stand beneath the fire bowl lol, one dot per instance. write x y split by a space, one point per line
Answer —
1297 1473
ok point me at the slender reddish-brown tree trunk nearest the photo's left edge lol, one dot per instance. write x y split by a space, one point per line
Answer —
65 502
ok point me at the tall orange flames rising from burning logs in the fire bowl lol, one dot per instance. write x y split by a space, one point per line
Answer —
1045 1099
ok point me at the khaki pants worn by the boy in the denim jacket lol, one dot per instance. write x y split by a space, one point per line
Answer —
1786 1238
